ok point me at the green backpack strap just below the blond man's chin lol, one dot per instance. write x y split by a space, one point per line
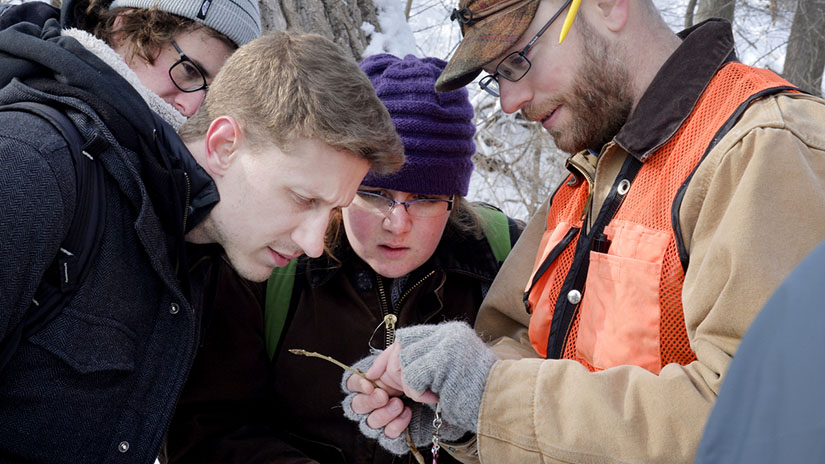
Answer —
278 295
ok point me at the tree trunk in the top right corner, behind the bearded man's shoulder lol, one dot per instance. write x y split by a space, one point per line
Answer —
805 57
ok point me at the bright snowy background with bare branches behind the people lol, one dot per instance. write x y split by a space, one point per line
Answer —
532 165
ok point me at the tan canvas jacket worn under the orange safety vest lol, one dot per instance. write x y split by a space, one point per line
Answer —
754 208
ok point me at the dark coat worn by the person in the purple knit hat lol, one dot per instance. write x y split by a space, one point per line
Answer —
240 408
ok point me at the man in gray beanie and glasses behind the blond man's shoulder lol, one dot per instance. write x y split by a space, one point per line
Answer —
168 51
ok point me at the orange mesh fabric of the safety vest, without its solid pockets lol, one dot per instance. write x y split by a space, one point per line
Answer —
649 202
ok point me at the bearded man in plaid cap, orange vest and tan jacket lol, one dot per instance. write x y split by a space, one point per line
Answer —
632 287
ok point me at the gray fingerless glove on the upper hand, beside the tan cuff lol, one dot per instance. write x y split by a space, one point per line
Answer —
453 362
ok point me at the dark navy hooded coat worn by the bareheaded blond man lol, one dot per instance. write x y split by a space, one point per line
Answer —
100 382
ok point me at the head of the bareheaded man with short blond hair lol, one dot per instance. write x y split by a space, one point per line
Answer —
293 118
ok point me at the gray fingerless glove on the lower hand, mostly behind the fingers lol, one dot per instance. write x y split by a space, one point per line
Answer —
421 424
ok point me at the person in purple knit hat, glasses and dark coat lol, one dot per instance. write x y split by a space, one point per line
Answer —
408 250
